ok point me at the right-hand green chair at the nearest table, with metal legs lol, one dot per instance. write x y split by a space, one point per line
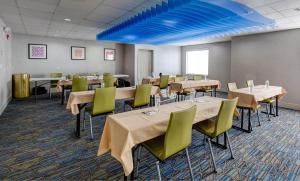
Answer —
221 125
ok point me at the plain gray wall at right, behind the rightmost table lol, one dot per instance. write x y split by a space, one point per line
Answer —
270 56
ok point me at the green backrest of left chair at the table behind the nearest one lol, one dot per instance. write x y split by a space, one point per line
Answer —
104 100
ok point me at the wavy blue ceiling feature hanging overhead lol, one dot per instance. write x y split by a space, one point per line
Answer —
182 20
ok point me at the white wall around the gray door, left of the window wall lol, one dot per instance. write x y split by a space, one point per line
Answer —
166 59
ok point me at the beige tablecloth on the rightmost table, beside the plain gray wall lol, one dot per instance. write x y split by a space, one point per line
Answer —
259 93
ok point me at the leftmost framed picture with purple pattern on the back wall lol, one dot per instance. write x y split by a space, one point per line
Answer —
37 51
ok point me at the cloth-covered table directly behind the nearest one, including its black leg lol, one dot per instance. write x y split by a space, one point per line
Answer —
78 100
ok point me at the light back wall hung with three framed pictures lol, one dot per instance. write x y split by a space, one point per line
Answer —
59 56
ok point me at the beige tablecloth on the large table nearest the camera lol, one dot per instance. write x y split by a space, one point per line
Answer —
125 130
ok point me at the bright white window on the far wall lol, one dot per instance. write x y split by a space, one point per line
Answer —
197 62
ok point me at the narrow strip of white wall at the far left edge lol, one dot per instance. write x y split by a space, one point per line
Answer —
5 69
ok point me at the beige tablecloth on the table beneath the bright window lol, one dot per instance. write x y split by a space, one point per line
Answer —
193 84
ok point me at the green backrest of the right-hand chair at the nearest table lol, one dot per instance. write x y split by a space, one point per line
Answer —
225 115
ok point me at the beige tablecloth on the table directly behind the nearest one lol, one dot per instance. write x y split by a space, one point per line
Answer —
82 97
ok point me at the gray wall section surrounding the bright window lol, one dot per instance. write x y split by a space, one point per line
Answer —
219 60
